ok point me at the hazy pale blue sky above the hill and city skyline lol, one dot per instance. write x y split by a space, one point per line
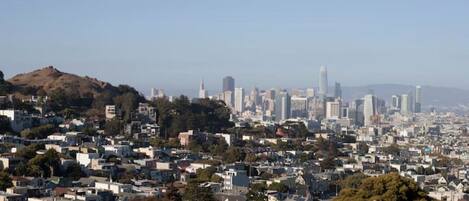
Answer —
173 44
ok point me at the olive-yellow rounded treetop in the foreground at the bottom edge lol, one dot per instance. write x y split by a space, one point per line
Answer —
386 187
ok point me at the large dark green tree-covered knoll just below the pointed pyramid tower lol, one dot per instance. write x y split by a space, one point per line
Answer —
182 115
